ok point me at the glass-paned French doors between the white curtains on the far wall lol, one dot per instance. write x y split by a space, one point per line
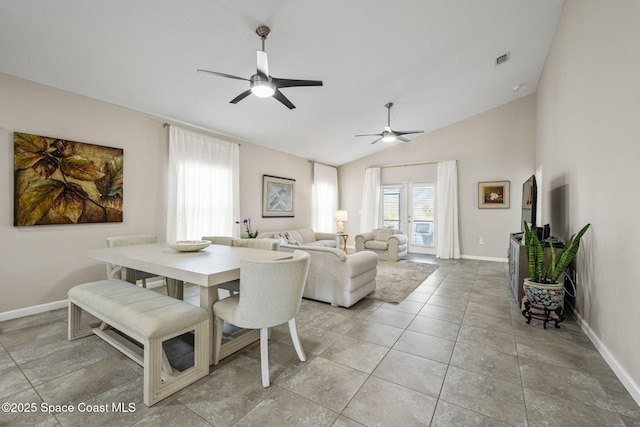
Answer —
411 208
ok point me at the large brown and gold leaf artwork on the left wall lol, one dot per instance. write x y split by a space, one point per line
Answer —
65 182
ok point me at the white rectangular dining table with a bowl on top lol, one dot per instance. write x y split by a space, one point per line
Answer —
206 268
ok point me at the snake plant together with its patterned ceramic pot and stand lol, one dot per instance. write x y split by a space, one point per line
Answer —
544 296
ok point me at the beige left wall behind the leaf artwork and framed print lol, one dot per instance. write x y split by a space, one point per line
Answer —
39 264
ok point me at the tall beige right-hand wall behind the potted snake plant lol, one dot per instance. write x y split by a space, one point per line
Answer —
588 143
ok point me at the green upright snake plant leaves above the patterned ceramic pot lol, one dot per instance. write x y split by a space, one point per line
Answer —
538 272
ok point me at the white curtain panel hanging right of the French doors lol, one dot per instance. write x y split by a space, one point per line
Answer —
447 238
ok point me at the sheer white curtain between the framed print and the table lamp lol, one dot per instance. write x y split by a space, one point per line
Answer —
324 198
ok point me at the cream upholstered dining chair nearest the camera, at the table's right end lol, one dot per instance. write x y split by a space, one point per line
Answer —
270 295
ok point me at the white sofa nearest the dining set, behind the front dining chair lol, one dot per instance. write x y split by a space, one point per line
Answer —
335 277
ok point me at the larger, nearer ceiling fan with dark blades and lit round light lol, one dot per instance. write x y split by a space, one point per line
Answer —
262 84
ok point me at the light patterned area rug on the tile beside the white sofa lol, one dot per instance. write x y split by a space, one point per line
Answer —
396 280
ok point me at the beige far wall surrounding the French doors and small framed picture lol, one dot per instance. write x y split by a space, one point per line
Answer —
497 145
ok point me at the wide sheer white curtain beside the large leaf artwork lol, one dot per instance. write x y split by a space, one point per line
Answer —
203 186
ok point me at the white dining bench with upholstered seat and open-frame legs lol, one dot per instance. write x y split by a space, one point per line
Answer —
149 318
